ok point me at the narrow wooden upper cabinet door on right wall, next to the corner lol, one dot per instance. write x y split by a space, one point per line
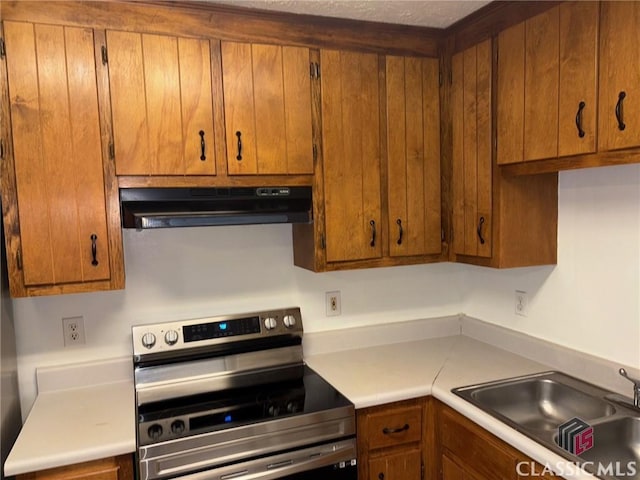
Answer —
472 160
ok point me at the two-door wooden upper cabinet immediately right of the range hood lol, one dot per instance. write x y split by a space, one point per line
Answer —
377 192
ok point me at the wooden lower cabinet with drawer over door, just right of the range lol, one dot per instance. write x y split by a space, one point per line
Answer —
392 441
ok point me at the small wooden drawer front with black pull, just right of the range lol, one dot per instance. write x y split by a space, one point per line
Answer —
395 427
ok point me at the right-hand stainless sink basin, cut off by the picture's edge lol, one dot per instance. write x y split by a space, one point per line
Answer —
616 445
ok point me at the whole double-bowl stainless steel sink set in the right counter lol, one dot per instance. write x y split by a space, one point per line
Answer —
537 405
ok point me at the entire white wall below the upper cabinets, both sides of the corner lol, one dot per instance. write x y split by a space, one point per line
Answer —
588 302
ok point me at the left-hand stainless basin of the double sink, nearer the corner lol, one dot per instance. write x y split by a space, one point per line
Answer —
540 403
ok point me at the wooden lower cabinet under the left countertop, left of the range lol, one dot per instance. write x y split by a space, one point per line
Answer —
113 468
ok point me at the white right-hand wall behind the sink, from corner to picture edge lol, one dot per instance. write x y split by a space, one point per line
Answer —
590 301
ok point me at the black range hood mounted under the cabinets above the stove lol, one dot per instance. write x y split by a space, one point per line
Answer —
144 208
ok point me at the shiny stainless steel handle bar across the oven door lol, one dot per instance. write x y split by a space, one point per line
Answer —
280 466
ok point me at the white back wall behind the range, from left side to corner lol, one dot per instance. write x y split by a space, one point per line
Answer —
188 273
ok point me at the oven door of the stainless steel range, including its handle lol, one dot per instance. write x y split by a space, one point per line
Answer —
329 461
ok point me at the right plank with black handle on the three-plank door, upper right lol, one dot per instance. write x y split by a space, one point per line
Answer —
578 52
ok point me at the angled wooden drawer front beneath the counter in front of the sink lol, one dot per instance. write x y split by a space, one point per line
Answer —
476 447
